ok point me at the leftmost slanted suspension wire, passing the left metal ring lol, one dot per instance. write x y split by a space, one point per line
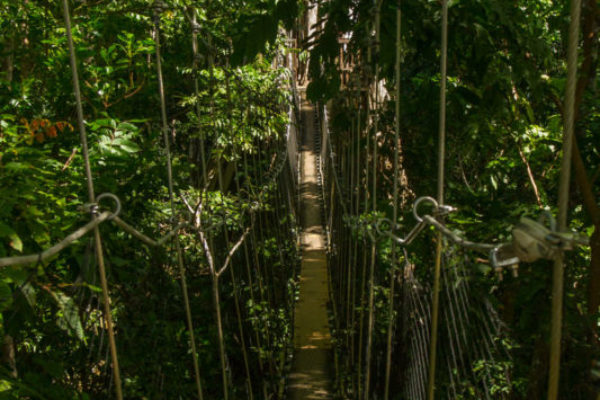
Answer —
92 198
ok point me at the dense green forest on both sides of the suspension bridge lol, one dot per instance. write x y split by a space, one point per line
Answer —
227 108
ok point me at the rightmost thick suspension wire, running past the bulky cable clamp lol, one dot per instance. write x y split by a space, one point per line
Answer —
563 200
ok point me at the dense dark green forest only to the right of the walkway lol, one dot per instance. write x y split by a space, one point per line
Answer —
506 82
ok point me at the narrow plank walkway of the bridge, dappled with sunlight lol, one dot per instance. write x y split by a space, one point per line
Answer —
311 375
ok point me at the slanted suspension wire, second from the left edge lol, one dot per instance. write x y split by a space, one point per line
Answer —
182 273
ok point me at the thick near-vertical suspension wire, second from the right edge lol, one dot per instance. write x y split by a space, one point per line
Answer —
440 197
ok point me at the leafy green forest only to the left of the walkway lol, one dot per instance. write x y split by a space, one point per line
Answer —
224 135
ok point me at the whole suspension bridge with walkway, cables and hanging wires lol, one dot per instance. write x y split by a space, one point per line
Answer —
443 334
